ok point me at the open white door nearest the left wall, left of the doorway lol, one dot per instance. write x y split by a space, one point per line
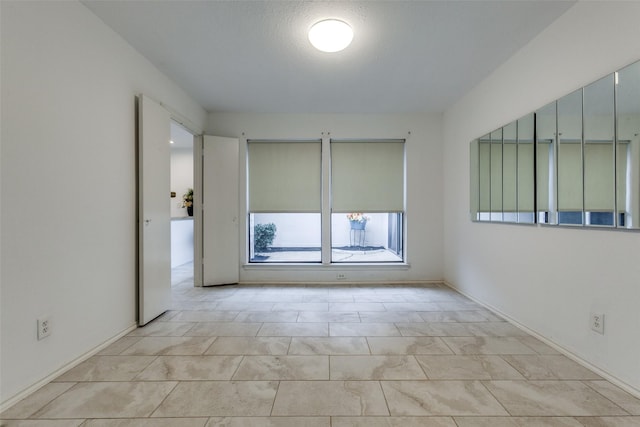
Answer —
154 214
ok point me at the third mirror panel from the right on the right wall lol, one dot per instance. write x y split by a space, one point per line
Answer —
569 164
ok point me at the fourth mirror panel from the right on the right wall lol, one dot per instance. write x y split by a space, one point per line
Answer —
545 163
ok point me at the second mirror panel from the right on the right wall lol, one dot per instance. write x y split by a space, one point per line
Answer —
599 153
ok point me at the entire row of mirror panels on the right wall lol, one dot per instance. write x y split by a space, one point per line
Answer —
574 162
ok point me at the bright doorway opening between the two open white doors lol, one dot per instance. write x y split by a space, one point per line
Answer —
182 243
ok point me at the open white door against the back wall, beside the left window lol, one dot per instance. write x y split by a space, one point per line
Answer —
220 206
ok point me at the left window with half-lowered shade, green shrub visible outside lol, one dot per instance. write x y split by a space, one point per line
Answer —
284 201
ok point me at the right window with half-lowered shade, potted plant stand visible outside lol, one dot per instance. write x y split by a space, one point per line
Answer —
367 193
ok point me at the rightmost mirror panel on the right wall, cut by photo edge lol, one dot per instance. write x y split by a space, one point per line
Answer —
628 146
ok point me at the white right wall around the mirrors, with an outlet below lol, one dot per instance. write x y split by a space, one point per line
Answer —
548 279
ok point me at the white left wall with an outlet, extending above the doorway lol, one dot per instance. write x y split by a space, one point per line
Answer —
68 184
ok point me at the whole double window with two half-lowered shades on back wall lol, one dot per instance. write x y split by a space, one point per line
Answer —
285 194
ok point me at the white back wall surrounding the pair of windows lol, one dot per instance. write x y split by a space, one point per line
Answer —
424 185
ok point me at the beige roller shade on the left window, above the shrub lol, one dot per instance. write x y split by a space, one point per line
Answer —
284 176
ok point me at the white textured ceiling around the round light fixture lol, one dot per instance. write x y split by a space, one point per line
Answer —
254 56
